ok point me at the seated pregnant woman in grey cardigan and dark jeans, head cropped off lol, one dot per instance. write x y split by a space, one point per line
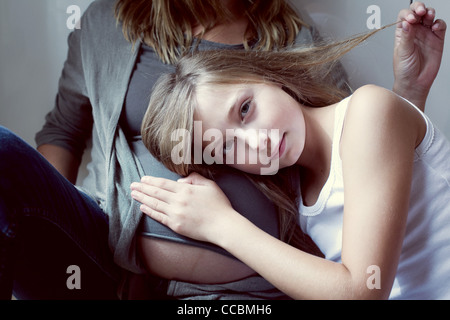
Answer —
103 92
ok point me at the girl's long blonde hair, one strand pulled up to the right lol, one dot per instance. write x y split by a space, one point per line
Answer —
303 73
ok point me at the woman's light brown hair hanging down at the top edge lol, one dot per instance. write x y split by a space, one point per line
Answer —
166 26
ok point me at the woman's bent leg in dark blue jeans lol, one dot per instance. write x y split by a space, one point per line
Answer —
47 226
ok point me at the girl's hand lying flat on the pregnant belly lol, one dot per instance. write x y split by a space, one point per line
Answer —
193 206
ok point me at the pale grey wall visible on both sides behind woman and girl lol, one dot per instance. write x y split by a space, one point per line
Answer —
33 47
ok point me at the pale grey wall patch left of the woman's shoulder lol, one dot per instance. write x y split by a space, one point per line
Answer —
33 47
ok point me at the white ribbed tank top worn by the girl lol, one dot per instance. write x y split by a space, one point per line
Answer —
424 268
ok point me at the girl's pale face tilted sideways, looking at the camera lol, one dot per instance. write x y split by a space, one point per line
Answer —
262 128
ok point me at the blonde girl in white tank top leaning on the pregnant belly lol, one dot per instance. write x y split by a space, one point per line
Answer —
373 172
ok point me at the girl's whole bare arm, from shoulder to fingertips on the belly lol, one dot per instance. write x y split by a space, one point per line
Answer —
377 151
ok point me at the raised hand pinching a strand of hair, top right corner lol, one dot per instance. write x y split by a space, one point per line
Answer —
419 44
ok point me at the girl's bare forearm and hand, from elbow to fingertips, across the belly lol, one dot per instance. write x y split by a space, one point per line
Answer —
198 209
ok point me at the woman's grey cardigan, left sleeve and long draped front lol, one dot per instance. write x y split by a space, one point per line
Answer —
89 102
